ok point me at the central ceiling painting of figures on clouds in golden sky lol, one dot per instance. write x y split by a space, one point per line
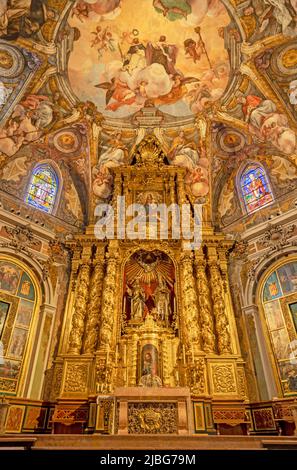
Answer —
163 53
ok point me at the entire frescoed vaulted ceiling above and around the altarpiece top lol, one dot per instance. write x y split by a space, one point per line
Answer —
83 82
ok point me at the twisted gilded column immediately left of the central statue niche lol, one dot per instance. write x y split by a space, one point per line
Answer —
108 314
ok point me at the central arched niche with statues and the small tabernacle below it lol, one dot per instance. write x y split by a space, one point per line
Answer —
149 320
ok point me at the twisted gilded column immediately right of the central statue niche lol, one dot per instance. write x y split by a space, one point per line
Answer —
190 308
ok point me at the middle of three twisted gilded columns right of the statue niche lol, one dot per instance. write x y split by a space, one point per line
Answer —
204 301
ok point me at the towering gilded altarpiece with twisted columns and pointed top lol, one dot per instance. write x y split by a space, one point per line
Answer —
150 312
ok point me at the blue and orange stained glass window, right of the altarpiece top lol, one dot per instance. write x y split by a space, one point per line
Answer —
255 188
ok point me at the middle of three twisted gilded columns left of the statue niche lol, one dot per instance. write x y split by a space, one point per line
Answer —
92 326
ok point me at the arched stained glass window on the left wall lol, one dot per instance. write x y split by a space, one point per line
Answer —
43 188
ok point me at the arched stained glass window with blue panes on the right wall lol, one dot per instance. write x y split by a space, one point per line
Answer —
254 188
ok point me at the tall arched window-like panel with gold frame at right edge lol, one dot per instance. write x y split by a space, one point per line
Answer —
279 300
